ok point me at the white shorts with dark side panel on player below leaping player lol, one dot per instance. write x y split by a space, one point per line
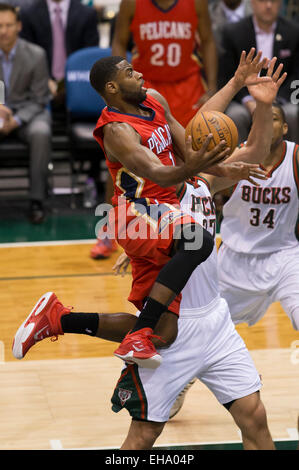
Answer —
207 347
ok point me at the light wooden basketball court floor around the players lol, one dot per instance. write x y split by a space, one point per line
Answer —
59 395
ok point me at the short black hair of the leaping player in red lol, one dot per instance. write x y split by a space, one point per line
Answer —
102 71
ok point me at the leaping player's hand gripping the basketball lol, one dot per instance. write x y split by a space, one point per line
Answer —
199 160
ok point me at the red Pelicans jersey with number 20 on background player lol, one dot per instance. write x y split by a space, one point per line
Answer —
165 40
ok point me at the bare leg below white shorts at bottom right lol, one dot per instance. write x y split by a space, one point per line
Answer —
250 416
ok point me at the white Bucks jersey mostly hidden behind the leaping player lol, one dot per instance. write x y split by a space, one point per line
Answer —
202 286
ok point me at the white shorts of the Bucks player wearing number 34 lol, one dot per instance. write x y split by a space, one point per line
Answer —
251 283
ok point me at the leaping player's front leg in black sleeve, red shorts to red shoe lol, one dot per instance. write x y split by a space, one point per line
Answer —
189 244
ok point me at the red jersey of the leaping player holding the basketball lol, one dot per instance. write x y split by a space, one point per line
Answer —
155 134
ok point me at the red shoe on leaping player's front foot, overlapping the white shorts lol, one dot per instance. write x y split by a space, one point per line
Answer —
137 348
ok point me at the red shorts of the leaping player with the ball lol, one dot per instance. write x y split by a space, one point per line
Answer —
146 232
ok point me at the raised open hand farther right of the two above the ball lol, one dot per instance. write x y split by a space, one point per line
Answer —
265 92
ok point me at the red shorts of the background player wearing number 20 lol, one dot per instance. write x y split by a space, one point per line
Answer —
182 96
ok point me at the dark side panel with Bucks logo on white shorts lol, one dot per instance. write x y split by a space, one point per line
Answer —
129 394
